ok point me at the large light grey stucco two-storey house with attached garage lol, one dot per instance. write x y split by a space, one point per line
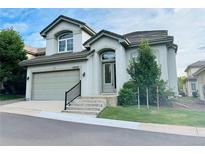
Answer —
75 52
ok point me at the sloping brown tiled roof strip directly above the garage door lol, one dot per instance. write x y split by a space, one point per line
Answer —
57 58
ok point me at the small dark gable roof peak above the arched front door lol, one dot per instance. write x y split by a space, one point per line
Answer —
103 32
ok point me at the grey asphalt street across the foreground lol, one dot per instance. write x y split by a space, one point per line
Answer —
27 130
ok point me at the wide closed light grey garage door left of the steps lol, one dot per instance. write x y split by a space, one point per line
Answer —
52 85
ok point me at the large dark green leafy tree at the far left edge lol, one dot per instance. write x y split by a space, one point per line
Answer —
11 53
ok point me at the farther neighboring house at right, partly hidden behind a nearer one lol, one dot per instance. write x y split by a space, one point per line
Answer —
191 81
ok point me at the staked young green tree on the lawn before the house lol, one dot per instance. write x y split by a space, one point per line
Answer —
145 72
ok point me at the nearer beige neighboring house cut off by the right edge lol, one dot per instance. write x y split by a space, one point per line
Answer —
200 76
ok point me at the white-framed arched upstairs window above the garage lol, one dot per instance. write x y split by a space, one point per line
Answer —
65 42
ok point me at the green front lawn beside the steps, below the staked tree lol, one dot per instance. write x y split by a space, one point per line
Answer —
166 115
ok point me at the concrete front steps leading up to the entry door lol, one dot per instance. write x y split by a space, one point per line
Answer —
87 106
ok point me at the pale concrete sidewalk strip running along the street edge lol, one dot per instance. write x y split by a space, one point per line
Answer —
170 129
